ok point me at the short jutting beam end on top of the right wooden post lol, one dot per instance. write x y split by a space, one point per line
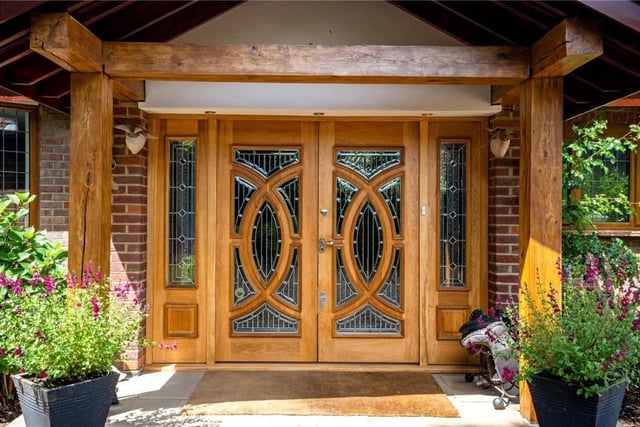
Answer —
569 45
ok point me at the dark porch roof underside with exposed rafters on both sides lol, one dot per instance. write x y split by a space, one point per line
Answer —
613 75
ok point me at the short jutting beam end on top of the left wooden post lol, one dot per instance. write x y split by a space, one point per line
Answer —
63 40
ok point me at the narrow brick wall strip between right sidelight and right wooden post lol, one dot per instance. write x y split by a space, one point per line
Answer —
504 270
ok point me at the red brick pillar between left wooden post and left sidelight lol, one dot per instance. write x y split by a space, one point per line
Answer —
129 215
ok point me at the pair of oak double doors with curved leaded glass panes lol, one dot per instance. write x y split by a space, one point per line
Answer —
317 255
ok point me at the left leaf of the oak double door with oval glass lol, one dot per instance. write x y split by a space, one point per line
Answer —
266 286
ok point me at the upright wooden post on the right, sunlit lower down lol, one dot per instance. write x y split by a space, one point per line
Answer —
540 191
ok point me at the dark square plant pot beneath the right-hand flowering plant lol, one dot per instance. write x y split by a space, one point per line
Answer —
555 401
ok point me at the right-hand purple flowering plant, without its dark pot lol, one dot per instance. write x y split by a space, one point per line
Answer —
588 336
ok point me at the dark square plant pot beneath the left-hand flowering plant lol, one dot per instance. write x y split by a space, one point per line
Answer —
83 404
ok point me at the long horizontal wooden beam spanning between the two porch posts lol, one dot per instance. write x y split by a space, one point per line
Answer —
312 63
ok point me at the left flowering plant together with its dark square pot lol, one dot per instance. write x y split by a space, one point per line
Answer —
62 335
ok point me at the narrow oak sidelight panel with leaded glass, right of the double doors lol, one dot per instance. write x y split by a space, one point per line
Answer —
456 266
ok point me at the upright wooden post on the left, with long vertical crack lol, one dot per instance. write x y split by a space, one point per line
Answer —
90 171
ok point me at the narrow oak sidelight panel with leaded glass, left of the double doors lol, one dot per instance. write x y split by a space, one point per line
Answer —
178 273
